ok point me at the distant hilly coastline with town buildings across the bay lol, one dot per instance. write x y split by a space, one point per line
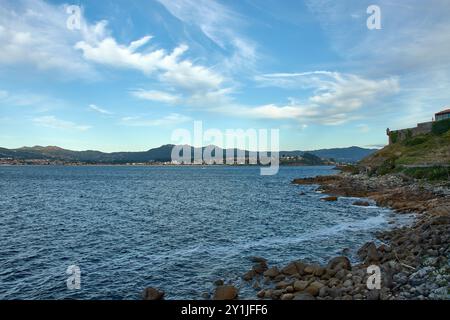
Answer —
52 155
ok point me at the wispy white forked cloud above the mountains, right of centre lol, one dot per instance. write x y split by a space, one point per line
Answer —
335 97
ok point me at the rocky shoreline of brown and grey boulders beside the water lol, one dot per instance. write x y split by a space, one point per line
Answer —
413 260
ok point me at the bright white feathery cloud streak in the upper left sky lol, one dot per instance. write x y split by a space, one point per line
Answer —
168 68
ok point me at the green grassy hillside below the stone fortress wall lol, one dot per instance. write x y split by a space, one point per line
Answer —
421 156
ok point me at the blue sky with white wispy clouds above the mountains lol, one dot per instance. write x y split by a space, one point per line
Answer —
133 71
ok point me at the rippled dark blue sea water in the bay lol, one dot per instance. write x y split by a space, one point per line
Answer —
175 228
